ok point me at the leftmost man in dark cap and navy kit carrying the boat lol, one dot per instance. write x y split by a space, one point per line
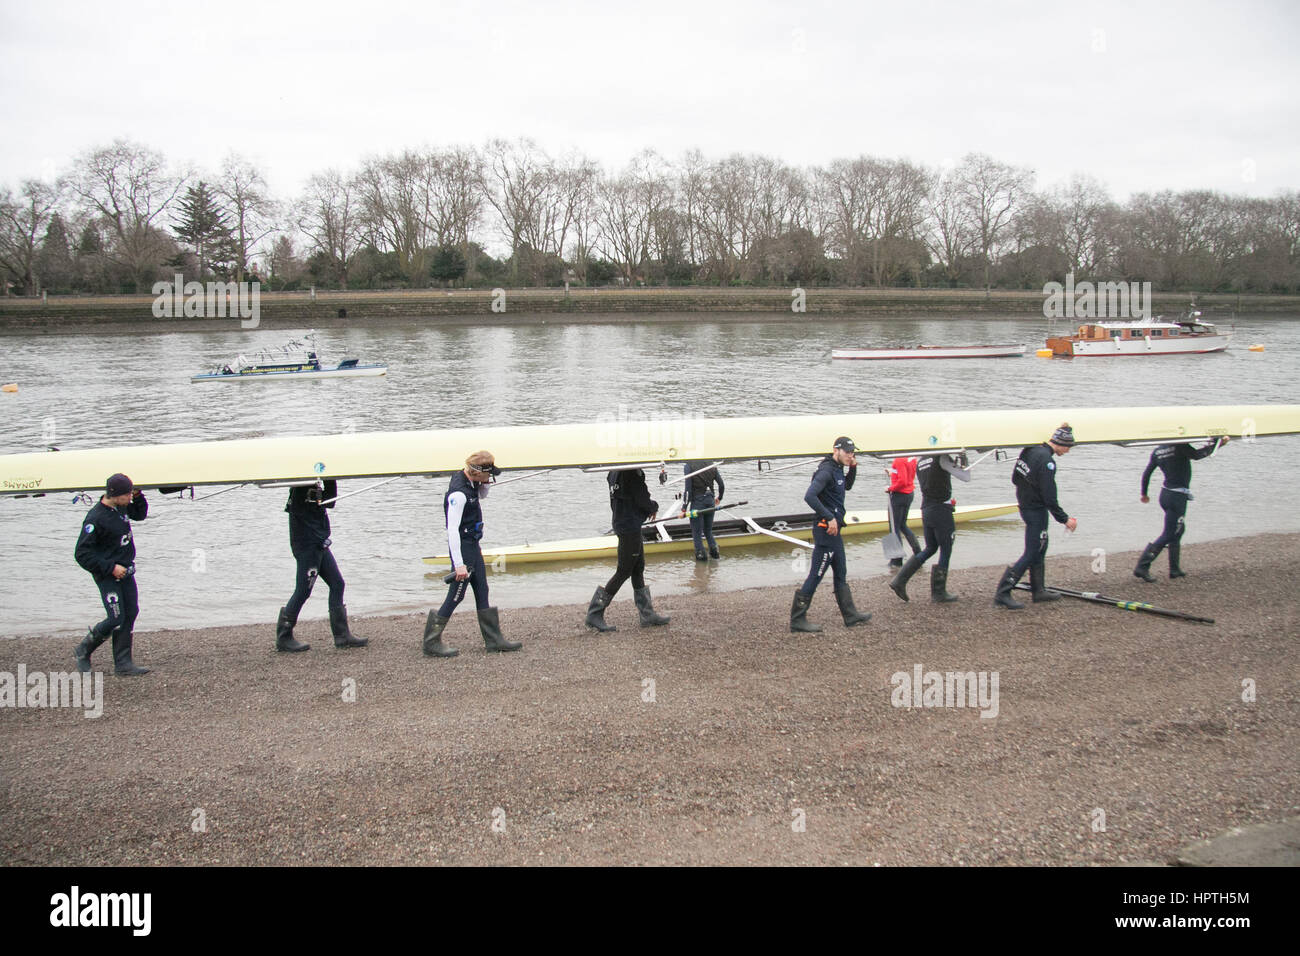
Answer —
107 550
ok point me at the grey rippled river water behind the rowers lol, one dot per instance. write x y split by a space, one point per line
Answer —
227 560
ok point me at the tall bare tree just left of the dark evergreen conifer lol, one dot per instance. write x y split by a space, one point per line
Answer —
129 188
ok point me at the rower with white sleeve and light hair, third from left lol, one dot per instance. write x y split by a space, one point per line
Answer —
465 520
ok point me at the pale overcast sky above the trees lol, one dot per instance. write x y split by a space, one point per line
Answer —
1141 96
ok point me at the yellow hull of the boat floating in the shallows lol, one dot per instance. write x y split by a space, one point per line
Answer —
608 547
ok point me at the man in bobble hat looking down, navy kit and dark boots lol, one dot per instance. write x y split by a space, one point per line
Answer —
1035 492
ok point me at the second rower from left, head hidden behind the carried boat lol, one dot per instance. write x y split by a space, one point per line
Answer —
310 542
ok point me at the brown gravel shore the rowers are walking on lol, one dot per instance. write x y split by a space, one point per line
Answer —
718 739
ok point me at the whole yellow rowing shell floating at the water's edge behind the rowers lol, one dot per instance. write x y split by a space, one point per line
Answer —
730 534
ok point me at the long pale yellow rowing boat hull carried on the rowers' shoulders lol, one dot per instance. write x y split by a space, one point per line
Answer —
617 442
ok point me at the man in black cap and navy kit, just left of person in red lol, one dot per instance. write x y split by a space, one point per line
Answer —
826 498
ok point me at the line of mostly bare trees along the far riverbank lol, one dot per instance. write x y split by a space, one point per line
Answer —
123 217
